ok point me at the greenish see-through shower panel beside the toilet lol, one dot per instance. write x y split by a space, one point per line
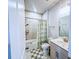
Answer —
42 32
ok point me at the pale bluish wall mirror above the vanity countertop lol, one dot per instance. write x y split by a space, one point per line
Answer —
64 26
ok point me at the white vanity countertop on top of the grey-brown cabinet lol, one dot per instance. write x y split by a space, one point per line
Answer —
59 41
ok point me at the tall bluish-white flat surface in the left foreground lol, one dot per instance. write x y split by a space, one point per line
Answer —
16 28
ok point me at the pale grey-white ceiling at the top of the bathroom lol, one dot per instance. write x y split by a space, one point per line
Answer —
39 6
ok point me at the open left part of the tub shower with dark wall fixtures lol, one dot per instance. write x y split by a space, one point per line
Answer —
31 29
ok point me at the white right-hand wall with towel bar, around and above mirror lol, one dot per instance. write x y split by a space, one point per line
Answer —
59 10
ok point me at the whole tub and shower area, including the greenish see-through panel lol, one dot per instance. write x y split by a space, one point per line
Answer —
35 33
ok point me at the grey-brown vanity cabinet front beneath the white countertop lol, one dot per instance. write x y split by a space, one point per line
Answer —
57 52
